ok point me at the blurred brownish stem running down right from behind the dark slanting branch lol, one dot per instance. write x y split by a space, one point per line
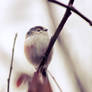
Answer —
79 83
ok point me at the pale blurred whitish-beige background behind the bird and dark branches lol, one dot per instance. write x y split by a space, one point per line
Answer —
72 58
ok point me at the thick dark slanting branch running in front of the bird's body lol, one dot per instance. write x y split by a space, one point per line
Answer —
55 36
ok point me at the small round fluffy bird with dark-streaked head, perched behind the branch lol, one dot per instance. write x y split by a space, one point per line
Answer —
35 45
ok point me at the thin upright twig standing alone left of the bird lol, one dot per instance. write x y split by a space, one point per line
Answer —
11 66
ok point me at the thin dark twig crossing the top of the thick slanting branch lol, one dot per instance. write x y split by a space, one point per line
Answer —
74 10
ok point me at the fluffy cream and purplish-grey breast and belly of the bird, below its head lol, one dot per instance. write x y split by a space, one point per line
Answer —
35 47
